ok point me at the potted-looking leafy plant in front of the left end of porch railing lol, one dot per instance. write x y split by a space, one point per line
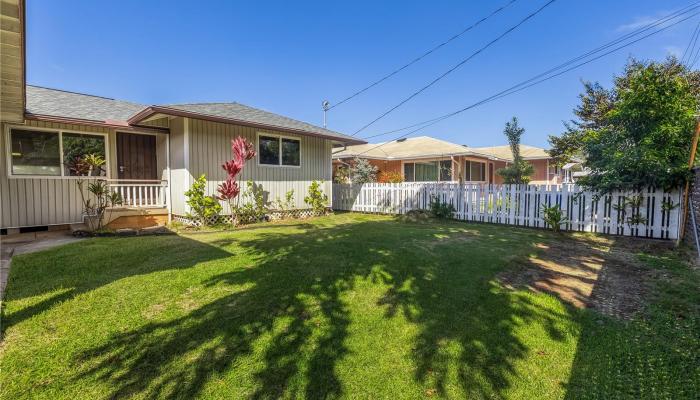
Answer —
99 199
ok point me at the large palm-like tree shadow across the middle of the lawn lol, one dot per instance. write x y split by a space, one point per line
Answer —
292 302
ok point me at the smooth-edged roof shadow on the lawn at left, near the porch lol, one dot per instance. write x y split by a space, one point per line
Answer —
78 268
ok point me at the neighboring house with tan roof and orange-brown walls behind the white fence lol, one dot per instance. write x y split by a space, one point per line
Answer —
427 159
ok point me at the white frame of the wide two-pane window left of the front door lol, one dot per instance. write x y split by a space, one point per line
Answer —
59 132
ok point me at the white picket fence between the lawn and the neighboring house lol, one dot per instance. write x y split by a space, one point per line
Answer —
649 213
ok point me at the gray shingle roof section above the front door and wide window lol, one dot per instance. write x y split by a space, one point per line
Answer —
59 103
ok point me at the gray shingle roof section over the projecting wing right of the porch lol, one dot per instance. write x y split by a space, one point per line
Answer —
252 115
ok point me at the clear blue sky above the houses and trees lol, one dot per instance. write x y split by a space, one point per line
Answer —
286 57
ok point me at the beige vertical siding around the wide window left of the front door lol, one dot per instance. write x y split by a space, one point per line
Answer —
51 200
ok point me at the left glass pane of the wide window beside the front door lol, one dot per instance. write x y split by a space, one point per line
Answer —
35 153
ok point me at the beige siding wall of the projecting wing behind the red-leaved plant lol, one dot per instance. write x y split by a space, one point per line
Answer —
210 145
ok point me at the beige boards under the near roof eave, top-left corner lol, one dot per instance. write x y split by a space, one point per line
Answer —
11 62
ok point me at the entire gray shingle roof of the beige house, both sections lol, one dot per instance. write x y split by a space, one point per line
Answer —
65 104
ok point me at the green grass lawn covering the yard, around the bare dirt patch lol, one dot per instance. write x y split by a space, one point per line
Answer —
345 306
